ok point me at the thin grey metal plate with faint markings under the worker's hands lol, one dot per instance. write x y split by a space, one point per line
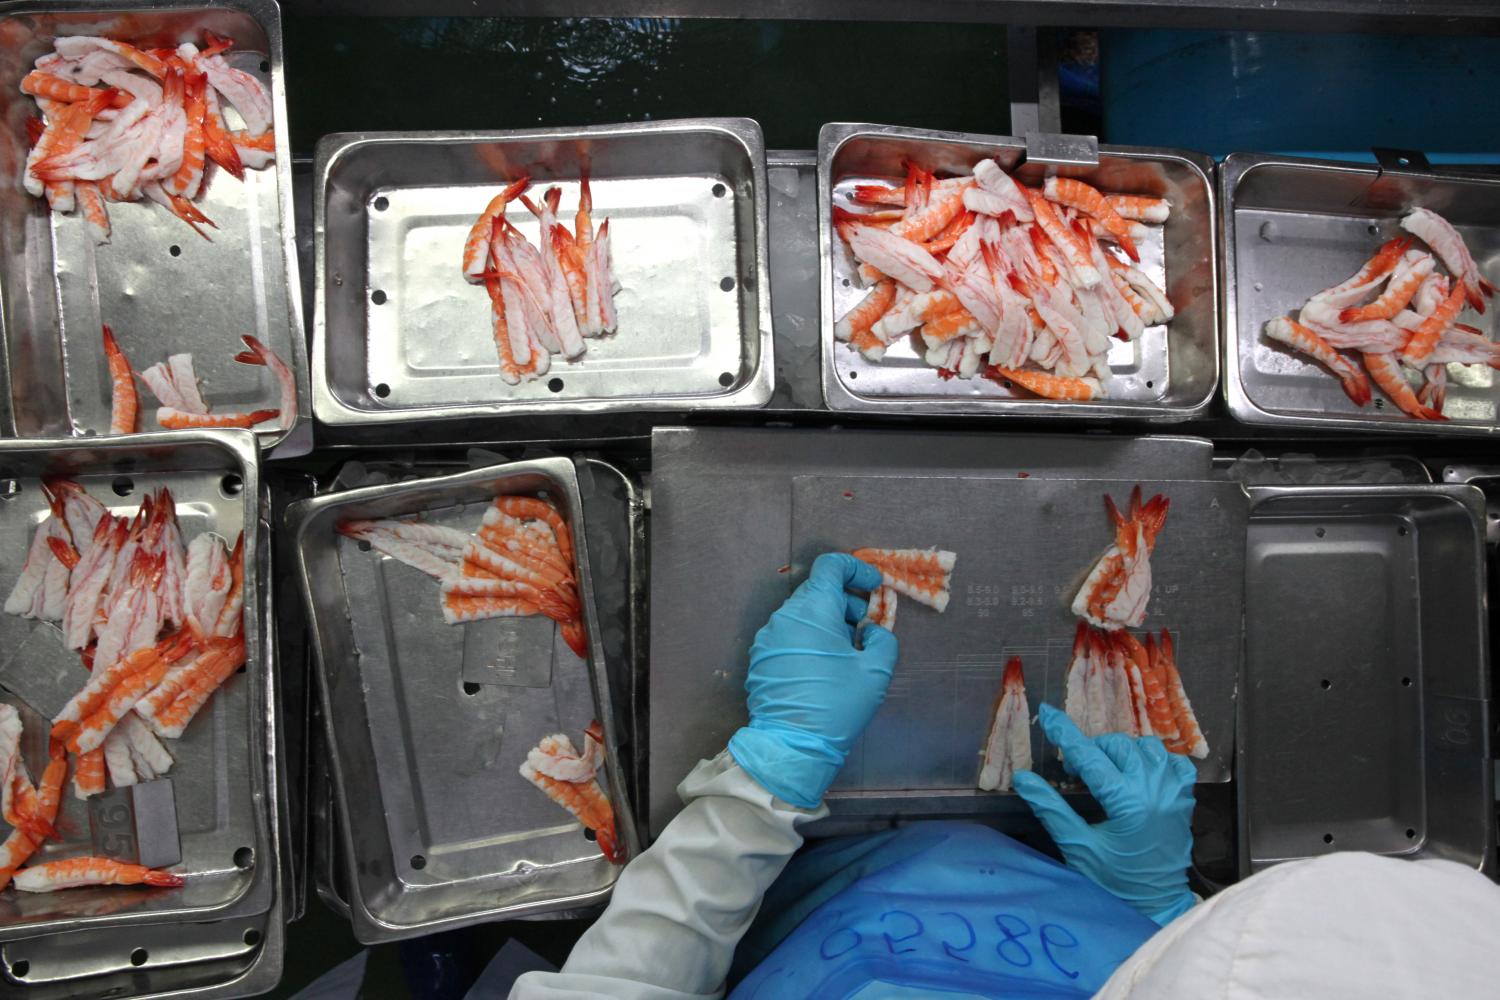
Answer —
1024 549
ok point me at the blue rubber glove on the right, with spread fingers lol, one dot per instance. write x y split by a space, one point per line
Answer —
1144 849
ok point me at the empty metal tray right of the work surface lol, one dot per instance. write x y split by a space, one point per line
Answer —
1366 717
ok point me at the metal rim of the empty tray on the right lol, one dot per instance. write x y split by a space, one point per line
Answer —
1472 500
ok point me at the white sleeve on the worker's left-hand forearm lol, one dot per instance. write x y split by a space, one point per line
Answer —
682 908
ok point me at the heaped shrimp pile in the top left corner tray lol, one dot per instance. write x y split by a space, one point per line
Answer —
121 124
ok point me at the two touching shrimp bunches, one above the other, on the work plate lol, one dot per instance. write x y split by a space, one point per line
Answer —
1117 684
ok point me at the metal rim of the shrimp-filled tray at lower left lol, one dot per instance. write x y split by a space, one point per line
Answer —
244 448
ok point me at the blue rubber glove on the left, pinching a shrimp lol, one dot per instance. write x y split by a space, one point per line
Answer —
812 692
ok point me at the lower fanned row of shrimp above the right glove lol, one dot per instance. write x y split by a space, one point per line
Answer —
1118 686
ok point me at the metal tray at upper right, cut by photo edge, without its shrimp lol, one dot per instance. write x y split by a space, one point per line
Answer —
1295 227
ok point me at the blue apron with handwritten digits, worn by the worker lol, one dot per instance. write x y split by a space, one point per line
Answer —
941 908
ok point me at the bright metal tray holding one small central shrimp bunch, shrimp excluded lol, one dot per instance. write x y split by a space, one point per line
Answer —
401 337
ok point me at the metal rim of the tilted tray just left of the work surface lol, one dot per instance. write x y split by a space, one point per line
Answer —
299 521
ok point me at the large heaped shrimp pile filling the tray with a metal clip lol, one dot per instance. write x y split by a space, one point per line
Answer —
1022 286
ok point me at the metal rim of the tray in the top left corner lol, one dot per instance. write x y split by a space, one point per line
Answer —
268 14
